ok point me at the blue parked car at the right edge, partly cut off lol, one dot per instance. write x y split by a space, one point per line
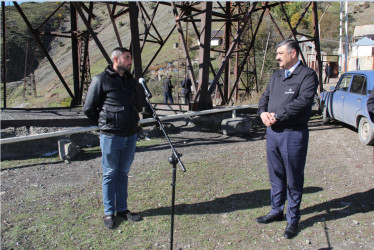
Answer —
347 102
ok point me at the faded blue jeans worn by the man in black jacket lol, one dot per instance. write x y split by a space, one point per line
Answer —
117 156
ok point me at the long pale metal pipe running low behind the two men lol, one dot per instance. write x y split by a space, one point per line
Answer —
142 121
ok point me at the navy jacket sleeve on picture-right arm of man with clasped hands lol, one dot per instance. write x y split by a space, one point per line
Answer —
305 99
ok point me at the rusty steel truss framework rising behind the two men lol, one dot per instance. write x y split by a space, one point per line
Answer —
239 22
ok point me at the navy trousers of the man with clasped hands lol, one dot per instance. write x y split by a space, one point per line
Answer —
286 154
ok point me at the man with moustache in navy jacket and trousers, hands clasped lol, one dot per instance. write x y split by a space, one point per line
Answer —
285 108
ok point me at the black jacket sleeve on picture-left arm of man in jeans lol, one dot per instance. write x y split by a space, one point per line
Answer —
93 100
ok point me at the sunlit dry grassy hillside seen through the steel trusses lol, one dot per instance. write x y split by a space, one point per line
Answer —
51 93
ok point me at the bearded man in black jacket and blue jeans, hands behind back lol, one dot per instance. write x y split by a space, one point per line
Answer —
113 101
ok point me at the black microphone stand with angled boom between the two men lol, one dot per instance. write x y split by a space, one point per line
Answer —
173 159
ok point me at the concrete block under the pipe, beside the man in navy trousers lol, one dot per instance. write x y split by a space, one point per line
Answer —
238 125
